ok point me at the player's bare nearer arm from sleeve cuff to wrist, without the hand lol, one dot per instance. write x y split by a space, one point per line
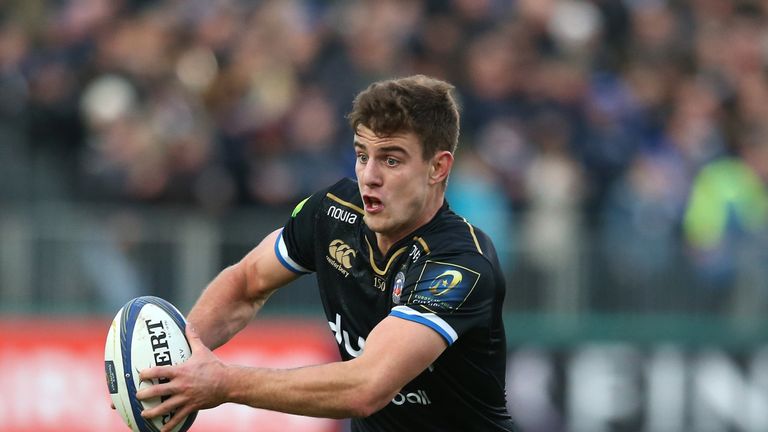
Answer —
354 388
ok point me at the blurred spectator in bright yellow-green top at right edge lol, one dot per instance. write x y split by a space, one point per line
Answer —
726 227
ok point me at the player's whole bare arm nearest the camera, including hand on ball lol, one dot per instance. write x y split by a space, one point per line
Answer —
396 351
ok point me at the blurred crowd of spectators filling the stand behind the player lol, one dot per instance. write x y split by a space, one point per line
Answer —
644 122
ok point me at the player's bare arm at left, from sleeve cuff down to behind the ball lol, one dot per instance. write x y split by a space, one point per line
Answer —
236 294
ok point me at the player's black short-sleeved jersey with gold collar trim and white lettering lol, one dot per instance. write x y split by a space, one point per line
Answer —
445 275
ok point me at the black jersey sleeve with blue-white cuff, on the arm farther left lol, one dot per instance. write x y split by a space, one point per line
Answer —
295 244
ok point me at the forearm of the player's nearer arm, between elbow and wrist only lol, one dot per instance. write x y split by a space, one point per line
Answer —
334 390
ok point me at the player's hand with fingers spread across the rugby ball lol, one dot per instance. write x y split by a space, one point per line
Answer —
195 384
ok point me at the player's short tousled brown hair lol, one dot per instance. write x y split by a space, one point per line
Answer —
418 104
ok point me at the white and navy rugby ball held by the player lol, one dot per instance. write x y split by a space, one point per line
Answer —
148 331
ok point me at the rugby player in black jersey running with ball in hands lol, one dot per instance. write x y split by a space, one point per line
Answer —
413 292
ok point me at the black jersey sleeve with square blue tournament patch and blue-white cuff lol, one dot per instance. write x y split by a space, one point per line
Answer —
450 296
